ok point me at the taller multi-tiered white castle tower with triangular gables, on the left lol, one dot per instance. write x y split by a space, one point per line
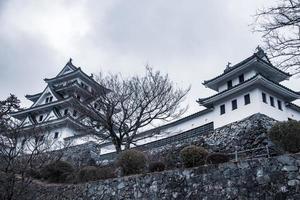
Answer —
61 108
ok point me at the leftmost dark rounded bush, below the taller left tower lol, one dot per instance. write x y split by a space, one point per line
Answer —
57 171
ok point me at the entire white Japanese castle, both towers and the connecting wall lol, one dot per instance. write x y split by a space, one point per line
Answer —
249 87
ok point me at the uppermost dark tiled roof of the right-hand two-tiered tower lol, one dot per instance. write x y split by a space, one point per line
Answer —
243 62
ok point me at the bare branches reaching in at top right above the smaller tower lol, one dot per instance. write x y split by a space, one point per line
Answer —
280 26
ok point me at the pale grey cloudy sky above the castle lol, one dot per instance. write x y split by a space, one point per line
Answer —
190 40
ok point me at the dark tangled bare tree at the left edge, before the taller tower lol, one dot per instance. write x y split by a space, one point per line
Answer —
20 152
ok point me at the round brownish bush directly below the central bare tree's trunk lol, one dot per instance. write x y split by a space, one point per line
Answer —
132 161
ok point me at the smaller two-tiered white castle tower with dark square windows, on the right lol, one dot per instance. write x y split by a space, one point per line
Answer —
249 87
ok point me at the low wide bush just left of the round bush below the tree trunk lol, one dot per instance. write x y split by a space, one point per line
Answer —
91 173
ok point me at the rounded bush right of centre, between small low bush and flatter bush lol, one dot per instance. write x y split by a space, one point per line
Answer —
192 156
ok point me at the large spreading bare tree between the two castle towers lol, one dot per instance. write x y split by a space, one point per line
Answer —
134 103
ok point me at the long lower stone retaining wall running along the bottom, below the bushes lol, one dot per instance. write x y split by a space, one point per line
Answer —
273 178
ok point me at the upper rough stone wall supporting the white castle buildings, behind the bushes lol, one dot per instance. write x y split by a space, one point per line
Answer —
245 134
